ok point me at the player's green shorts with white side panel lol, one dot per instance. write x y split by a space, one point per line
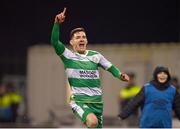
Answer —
81 110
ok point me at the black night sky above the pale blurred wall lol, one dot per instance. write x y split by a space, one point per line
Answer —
27 22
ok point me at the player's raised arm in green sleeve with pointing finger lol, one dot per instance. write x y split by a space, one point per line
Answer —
58 45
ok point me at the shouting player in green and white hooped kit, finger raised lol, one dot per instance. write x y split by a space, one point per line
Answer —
81 66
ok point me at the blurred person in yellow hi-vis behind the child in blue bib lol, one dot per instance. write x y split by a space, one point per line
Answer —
126 94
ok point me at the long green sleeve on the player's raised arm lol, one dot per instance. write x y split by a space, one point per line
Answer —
58 45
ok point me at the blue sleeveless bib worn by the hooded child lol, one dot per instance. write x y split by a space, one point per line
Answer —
157 108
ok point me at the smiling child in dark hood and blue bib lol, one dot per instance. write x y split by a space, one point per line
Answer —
157 100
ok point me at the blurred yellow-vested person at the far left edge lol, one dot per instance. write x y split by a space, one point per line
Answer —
5 105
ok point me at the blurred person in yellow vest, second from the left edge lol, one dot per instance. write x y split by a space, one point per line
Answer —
16 100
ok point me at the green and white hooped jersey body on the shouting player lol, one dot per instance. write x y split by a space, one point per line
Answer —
83 75
